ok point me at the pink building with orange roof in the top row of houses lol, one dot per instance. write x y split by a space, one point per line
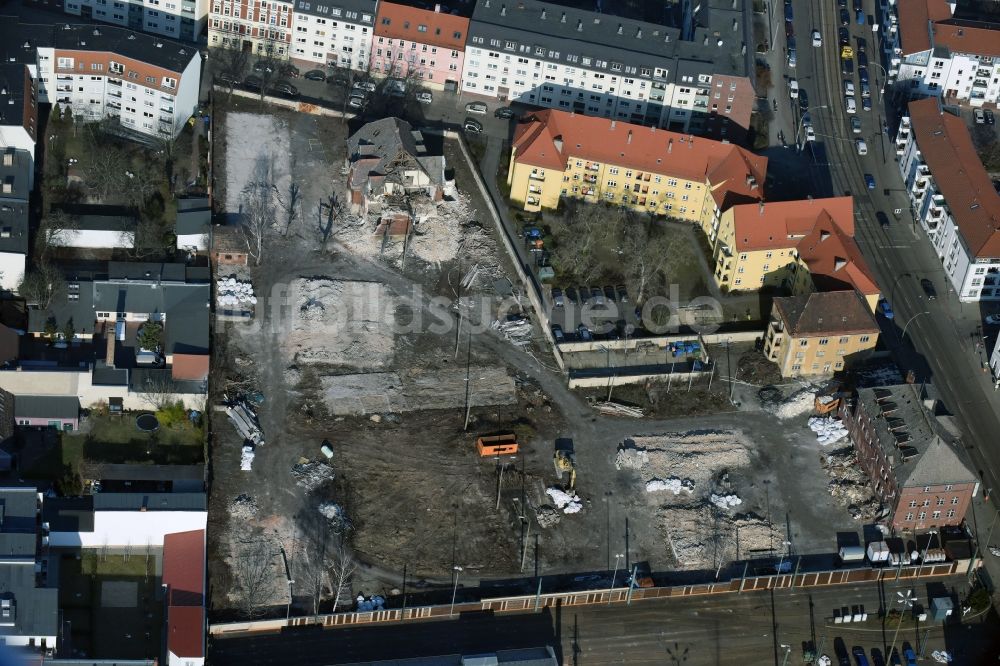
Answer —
425 45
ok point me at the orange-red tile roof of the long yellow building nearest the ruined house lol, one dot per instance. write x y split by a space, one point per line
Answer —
725 166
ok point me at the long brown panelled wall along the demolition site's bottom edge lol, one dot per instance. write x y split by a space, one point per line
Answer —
620 595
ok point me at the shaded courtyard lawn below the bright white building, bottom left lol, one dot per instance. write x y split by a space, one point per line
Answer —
126 631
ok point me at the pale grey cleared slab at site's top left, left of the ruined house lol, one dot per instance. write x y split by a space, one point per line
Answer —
255 144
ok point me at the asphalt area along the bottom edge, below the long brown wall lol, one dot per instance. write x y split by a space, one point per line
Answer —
725 629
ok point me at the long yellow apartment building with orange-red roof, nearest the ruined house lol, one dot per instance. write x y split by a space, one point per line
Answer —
558 154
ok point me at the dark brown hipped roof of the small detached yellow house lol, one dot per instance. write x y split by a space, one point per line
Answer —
825 313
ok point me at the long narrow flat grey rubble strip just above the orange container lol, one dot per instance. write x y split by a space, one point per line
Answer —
414 390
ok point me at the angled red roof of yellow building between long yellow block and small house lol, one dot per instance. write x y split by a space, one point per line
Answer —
820 230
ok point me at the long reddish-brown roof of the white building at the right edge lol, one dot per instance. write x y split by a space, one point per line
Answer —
959 175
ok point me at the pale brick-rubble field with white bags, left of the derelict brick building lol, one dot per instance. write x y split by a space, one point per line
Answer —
687 477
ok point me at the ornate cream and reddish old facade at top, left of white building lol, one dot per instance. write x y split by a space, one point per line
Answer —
263 27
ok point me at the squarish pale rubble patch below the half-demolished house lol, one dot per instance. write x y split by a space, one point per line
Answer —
342 323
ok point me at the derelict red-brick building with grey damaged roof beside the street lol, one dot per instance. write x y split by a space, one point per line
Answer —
907 448
